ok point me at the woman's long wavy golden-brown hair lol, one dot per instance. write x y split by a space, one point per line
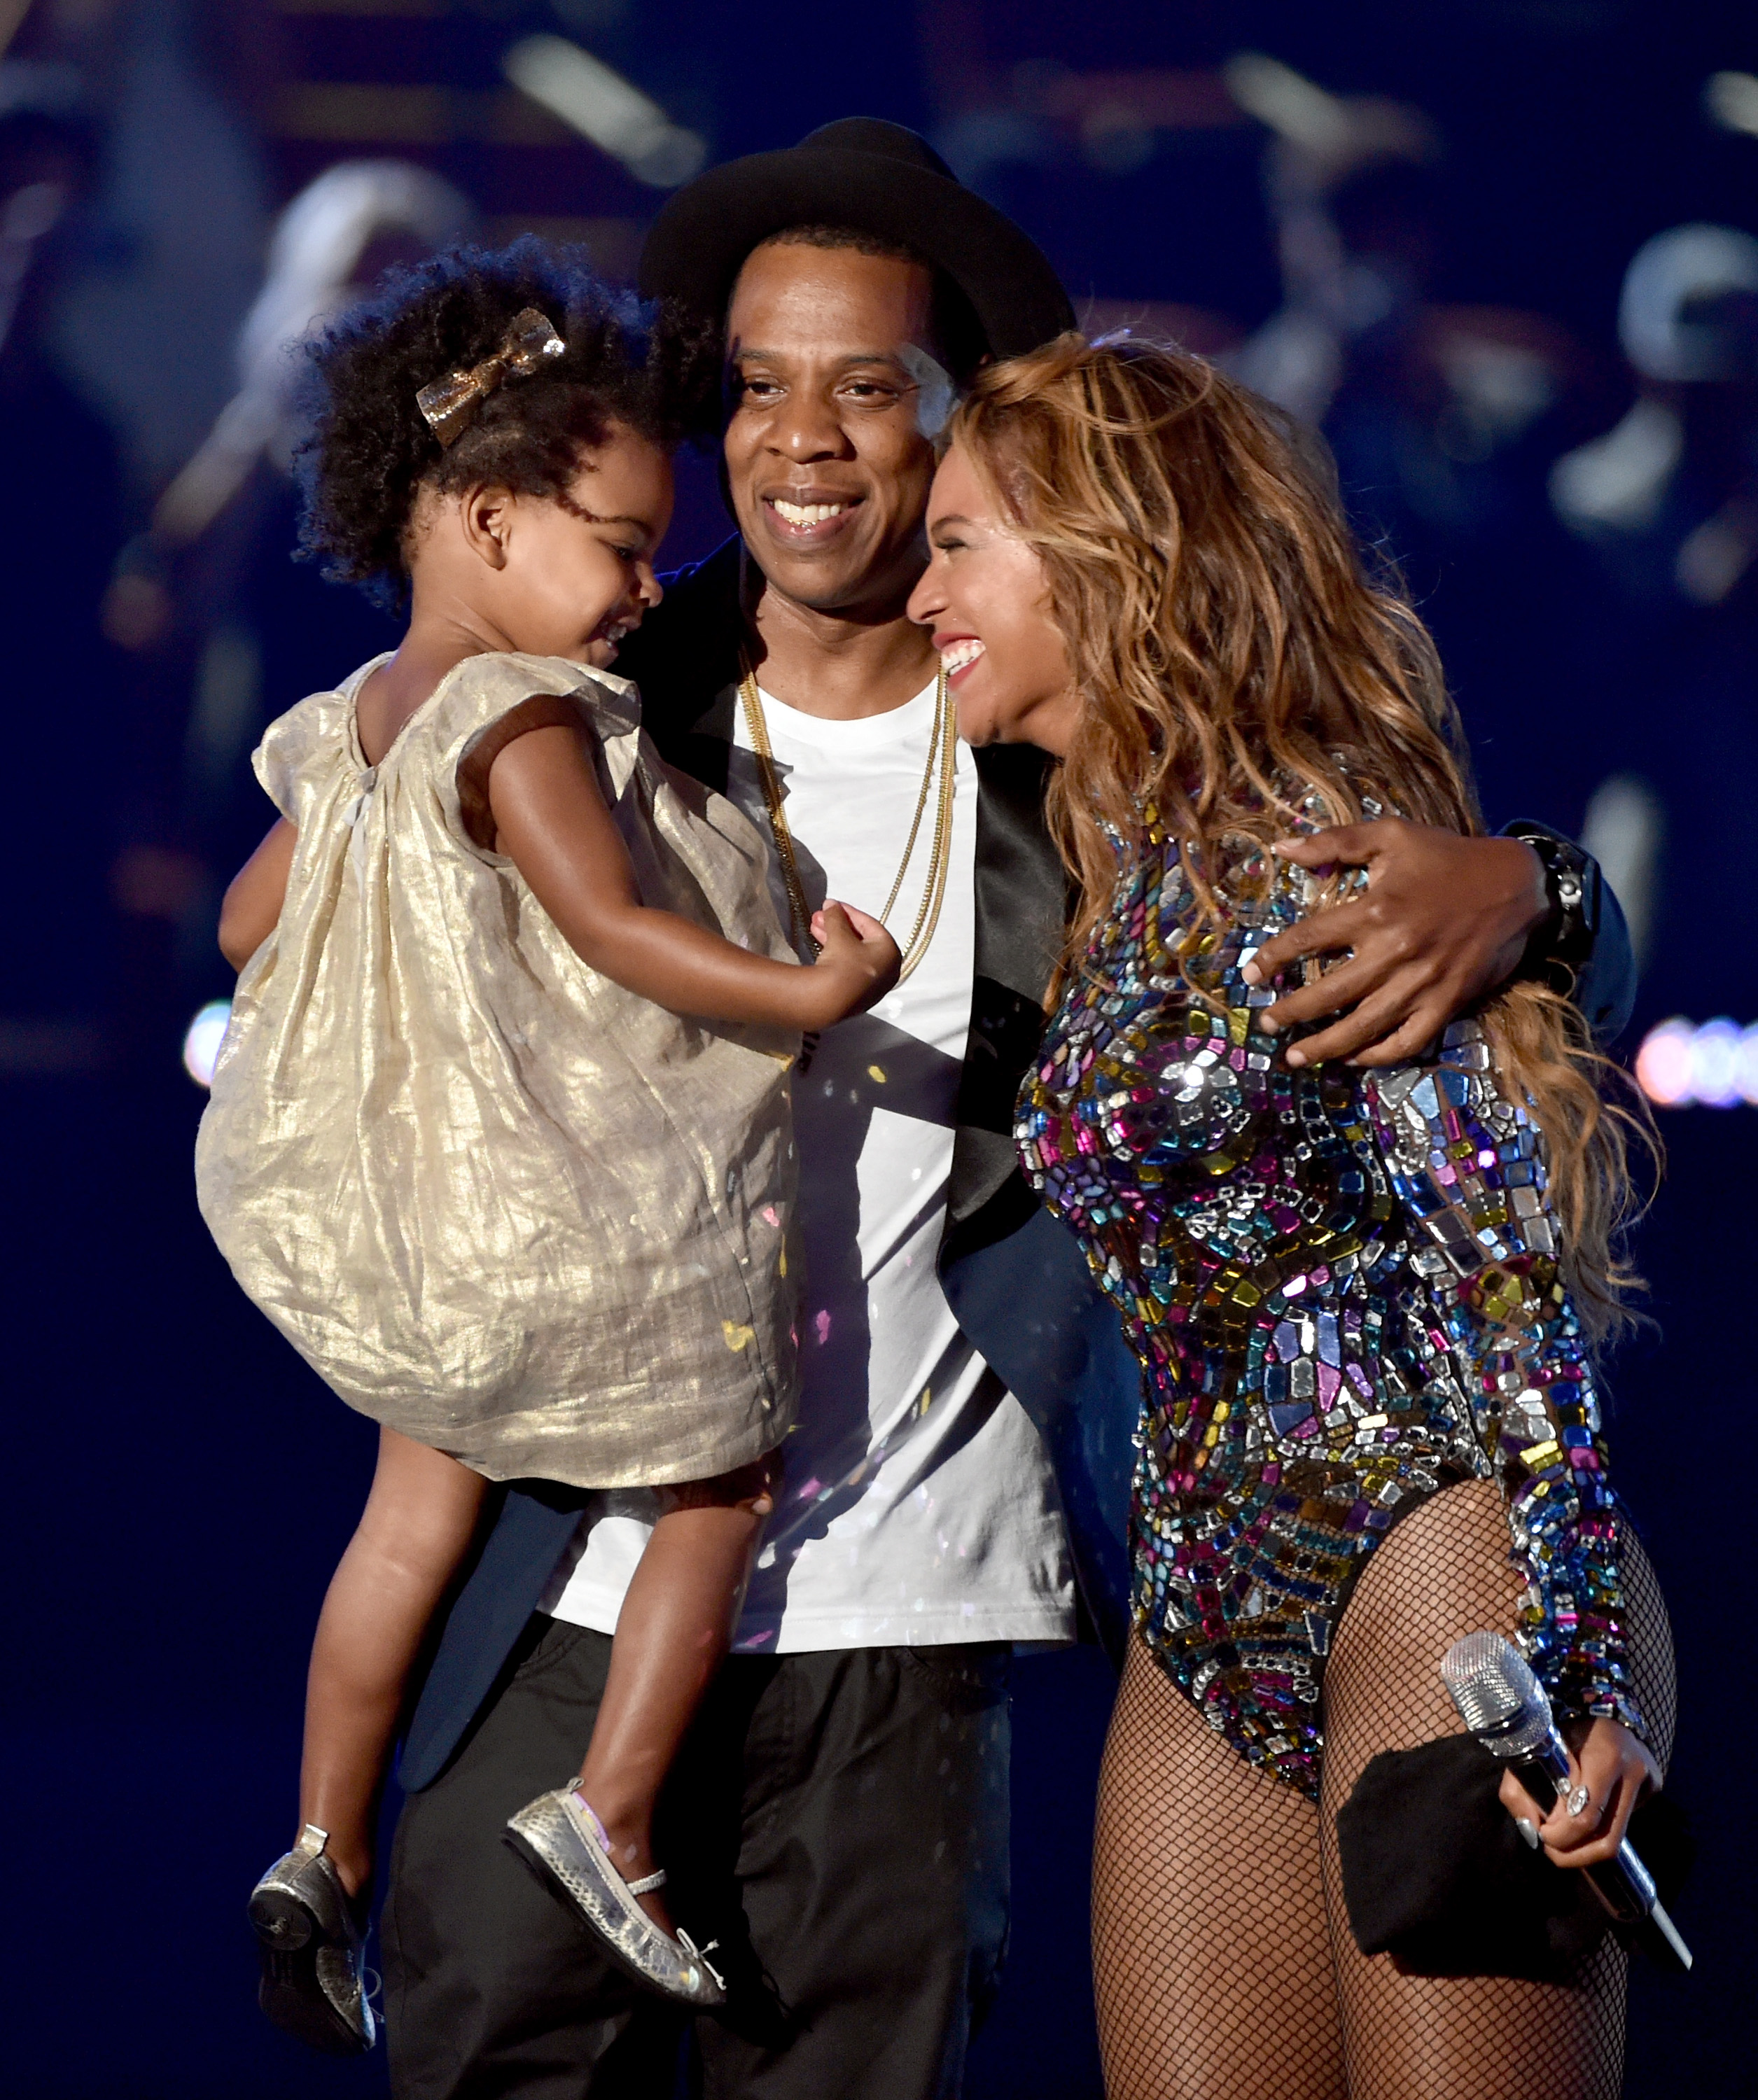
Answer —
1236 671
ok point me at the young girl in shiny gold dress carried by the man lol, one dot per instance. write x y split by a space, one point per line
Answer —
499 1135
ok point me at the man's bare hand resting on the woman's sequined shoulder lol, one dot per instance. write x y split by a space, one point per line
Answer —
1444 921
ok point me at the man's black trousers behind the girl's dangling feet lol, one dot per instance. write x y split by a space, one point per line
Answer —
839 1824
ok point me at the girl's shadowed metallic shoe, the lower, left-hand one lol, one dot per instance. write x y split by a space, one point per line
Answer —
314 1969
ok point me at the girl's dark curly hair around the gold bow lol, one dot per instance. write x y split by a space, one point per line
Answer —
373 450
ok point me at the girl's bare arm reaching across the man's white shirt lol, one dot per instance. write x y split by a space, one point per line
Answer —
553 824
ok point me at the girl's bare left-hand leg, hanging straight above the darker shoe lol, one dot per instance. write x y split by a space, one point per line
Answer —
406 1549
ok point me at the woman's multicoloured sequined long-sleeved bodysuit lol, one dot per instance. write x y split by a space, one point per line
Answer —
1343 1293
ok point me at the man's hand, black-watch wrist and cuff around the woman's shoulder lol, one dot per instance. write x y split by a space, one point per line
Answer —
1442 923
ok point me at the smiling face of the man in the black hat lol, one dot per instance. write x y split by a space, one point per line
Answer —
833 373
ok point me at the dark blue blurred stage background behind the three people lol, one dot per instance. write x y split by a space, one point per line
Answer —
182 1486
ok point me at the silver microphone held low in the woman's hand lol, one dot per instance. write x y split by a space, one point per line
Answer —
1509 1713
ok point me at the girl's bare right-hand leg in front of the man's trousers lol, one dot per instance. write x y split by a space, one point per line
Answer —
675 1629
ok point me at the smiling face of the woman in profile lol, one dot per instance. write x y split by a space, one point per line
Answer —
988 604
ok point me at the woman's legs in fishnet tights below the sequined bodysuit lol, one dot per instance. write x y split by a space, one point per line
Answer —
1223 1960
